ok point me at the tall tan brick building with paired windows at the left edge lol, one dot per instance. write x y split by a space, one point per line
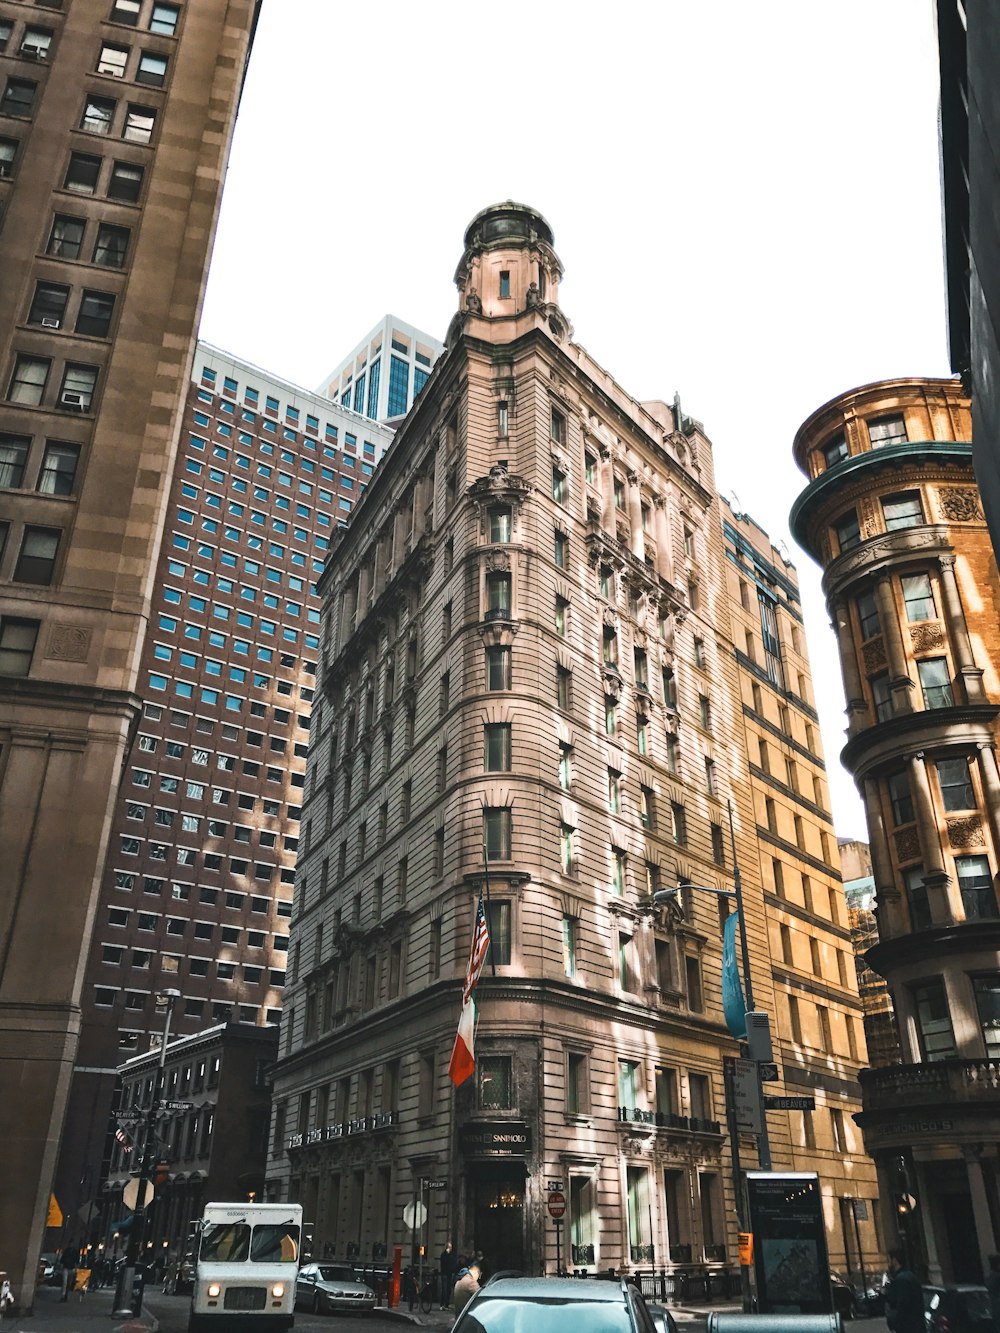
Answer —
115 125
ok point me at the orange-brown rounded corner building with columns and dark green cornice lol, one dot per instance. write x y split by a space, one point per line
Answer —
894 517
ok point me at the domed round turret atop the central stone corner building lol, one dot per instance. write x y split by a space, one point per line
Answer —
509 265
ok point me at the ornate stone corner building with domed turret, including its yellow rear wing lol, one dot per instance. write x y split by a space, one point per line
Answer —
529 667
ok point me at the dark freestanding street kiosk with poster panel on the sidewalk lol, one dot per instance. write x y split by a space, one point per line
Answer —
790 1243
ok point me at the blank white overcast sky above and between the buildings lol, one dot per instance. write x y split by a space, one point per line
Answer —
745 197
